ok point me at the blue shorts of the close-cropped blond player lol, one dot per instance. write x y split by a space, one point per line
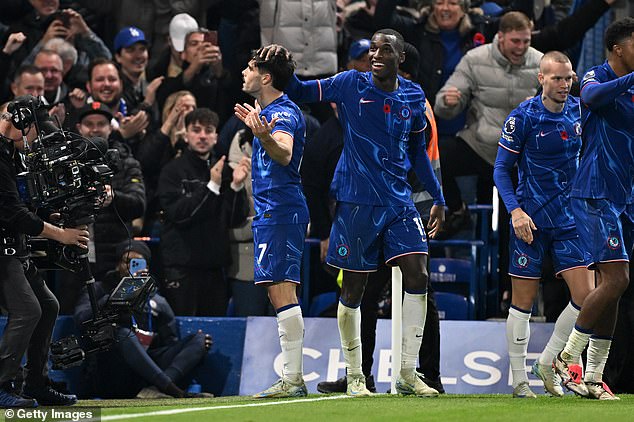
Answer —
525 261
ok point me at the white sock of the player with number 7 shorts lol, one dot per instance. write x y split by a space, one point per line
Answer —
290 326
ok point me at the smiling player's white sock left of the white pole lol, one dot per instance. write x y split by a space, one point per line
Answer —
349 321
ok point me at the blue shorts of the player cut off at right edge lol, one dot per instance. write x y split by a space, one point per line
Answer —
605 229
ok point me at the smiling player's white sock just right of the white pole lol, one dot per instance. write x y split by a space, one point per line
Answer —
413 320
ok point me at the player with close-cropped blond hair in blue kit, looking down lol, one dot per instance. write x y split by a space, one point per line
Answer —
543 137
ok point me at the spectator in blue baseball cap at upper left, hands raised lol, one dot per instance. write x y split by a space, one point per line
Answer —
131 52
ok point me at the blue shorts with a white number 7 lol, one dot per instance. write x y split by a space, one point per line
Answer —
278 252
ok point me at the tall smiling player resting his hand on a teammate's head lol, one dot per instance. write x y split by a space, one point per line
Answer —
383 116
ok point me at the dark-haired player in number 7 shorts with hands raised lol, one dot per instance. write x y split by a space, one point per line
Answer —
281 214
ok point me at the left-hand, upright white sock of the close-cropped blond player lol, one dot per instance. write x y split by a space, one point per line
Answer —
517 336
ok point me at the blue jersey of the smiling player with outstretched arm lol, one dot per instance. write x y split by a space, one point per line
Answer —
373 166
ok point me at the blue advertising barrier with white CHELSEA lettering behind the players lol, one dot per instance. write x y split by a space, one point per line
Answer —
473 354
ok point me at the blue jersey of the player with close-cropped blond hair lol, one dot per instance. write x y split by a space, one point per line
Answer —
547 146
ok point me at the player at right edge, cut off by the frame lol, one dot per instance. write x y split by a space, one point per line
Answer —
603 206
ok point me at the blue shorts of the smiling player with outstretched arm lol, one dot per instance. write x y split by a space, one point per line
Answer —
360 232
